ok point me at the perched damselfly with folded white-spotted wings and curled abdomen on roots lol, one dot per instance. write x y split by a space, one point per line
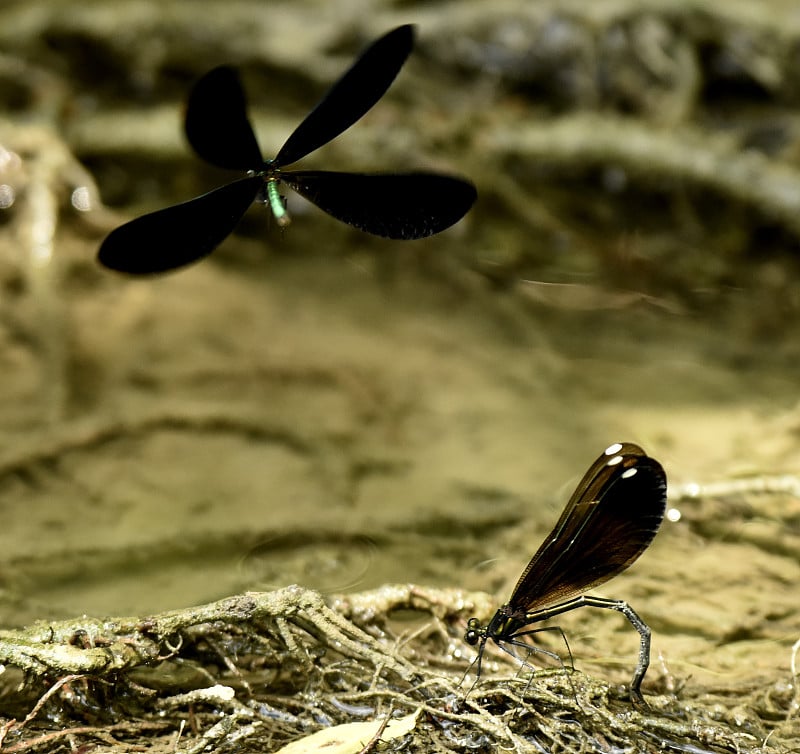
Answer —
607 524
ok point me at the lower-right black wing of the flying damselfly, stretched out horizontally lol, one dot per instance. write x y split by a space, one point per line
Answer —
402 206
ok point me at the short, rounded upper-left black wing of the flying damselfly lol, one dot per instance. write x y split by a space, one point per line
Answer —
216 122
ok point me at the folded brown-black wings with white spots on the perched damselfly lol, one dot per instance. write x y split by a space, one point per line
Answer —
607 524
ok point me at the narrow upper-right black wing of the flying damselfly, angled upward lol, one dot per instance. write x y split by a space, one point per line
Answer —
351 96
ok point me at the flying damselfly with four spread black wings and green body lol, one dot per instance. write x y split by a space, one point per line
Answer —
401 206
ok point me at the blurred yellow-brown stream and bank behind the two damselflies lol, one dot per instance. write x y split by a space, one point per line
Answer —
314 405
